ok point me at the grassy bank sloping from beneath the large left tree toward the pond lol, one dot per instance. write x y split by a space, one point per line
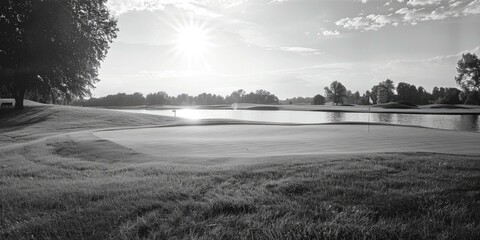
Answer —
39 121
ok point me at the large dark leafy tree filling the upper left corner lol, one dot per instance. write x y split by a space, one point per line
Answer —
53 46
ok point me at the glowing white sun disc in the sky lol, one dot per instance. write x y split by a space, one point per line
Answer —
192 40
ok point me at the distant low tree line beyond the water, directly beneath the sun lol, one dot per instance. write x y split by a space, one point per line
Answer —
162 98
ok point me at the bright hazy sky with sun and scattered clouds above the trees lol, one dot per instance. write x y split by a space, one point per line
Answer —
289 47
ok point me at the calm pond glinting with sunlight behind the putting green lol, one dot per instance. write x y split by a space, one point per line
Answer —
452 122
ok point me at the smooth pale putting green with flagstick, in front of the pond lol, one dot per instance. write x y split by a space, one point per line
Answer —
275 140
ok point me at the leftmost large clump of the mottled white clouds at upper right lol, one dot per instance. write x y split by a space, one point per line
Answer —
370 22
